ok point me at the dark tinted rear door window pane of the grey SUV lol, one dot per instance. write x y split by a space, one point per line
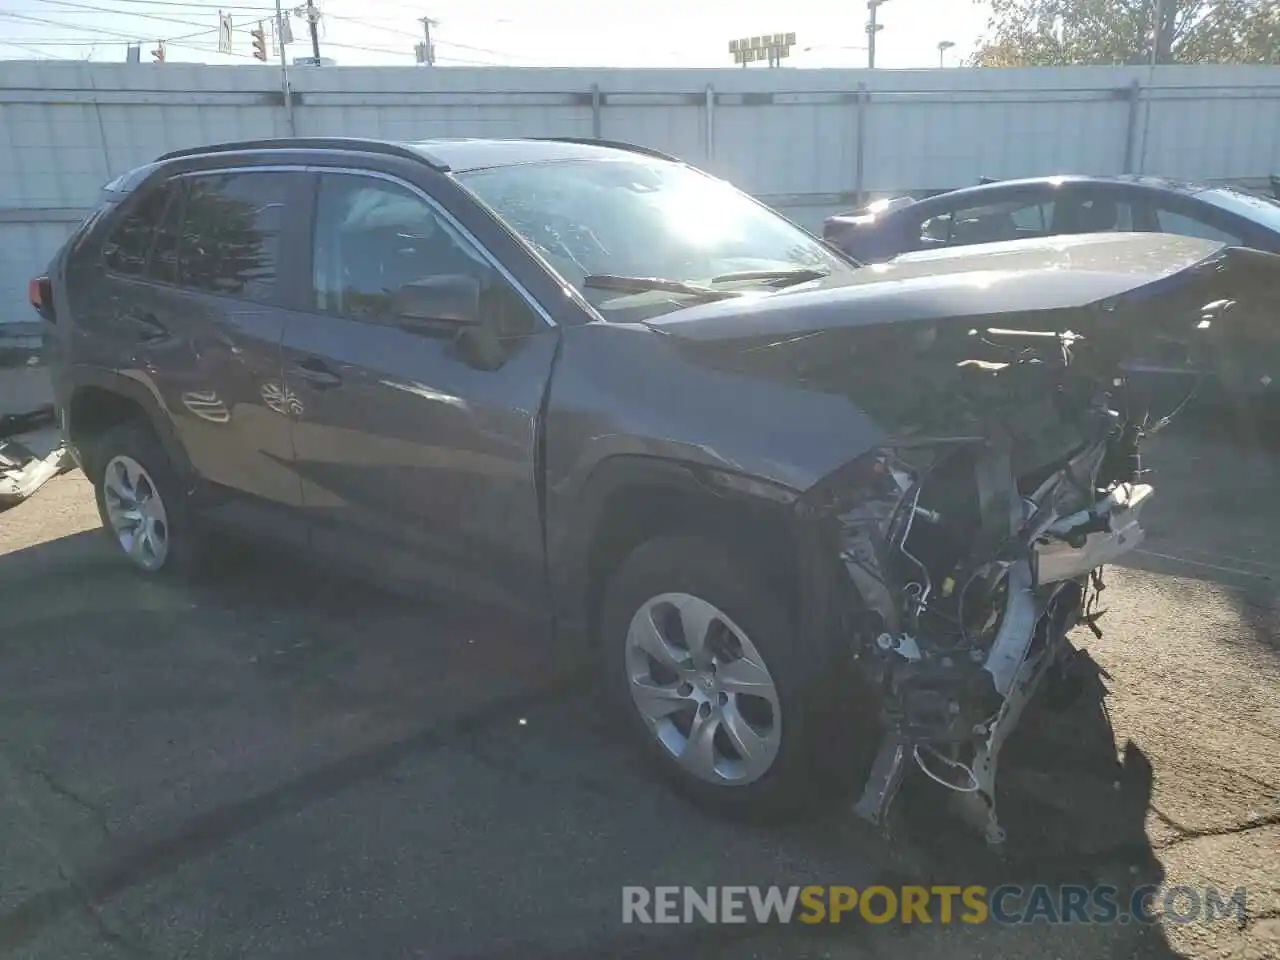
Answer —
231 234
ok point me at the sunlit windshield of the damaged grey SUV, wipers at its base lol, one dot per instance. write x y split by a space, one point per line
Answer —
642 218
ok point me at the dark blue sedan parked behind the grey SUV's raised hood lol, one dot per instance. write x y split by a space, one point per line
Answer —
1048 207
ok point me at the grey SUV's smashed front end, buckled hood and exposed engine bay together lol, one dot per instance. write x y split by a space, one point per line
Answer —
971 426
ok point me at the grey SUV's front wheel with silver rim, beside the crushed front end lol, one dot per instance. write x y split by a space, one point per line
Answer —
705 665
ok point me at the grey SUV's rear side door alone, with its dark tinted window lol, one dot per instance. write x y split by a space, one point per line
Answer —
221 289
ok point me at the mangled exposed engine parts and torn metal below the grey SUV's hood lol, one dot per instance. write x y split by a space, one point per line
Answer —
976 550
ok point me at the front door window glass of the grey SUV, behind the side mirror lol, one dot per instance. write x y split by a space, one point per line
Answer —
373 237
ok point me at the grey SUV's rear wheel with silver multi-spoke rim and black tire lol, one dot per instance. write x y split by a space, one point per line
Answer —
143 504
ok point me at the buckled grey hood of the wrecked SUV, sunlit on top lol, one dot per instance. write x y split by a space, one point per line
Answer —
988 281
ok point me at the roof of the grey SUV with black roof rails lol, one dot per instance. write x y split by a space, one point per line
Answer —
459 154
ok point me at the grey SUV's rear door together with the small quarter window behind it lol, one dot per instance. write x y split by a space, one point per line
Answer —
194 289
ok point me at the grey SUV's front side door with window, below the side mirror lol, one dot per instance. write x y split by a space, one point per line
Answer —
418 459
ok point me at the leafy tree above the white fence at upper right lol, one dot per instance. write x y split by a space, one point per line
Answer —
1076 33
